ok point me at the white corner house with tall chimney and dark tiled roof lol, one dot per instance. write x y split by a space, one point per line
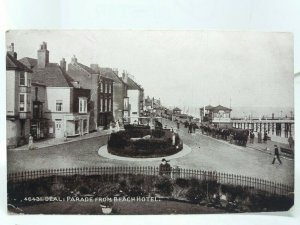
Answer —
64 103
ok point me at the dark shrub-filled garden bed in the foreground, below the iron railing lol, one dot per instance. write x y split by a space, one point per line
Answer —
98 188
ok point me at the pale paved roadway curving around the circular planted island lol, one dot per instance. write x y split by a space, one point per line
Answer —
207 154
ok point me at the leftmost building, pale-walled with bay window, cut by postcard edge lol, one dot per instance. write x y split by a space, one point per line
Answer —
18 100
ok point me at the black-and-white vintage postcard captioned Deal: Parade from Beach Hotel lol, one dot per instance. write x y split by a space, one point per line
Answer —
149 122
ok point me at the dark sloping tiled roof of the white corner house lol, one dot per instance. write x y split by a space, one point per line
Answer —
52 76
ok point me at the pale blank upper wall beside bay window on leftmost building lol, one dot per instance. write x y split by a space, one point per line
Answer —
12 90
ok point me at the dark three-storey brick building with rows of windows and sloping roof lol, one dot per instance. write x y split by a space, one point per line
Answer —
101 93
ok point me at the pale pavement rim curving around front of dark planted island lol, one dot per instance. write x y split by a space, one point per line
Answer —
103 152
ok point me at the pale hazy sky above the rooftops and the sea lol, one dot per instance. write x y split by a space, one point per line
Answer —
182 68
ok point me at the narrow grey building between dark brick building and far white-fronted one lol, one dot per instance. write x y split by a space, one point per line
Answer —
119 90
